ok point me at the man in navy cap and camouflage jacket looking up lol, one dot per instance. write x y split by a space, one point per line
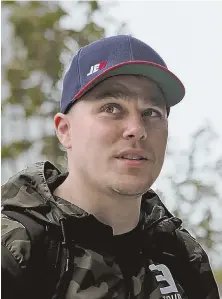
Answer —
118 239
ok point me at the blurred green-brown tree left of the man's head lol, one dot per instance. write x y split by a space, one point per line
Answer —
36 49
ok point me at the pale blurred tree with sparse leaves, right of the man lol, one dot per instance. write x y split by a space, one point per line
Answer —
193 178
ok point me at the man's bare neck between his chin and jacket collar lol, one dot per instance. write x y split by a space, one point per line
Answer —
118 211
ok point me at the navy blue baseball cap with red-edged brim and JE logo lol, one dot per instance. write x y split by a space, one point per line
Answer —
118 55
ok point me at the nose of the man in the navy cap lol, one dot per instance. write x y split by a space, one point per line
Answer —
135 129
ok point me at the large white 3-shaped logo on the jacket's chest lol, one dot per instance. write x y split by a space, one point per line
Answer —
165 276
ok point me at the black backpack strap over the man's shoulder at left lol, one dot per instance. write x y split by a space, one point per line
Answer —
45 254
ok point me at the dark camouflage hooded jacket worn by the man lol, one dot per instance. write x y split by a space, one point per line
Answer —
157 260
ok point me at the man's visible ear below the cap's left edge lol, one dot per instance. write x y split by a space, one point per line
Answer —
62 127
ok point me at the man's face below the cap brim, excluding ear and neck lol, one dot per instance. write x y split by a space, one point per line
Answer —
118 135
